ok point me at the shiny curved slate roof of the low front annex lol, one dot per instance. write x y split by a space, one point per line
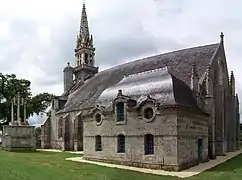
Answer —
159 84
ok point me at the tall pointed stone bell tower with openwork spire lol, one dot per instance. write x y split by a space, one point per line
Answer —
85 51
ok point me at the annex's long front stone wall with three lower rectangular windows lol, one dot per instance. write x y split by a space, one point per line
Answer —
163 128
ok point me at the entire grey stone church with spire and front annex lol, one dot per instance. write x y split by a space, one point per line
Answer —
169 111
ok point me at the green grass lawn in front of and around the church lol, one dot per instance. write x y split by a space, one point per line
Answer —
53 166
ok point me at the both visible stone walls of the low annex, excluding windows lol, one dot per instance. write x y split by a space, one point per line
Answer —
175 139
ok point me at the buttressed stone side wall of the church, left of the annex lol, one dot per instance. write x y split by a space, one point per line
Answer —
71 125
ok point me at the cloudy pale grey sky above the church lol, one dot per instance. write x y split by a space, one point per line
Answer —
37 38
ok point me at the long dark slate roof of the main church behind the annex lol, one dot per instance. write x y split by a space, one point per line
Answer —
179 64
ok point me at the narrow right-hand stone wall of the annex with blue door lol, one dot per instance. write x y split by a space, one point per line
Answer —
191 127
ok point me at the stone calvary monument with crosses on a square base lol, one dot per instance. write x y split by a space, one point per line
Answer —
18 135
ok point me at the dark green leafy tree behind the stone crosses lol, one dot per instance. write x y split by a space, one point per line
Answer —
10 85
